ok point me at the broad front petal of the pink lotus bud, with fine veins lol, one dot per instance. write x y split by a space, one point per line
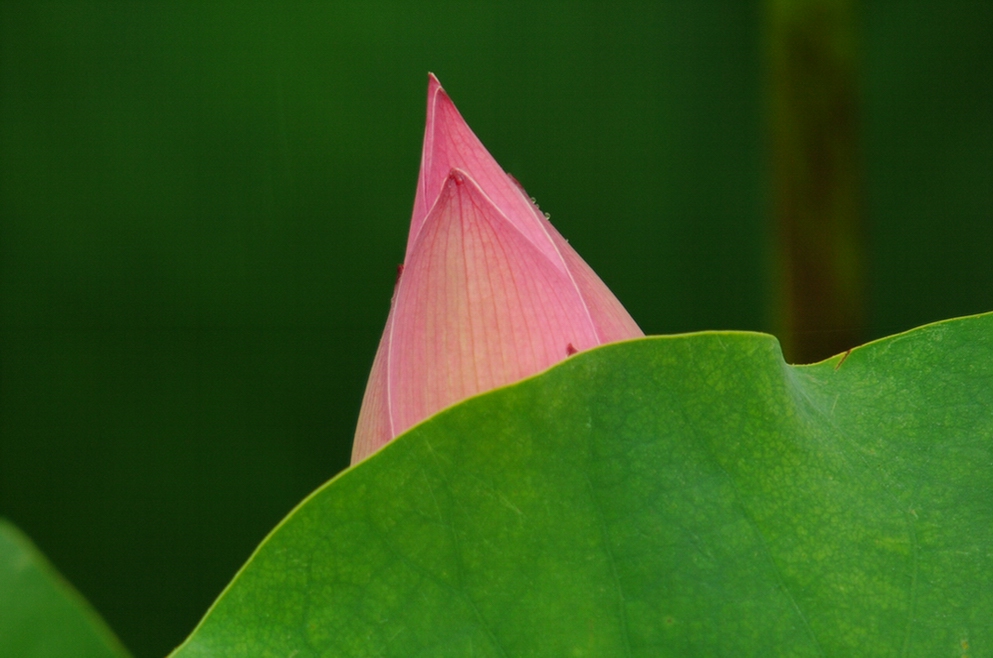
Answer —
478 307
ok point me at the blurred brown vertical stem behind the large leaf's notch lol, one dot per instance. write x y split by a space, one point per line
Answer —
814 130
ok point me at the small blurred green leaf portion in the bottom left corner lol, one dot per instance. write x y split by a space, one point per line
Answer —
41 615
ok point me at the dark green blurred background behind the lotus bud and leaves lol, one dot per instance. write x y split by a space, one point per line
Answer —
202 206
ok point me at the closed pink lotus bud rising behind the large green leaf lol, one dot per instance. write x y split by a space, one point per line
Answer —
489 292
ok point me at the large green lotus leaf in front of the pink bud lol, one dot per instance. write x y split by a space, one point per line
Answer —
669 496
